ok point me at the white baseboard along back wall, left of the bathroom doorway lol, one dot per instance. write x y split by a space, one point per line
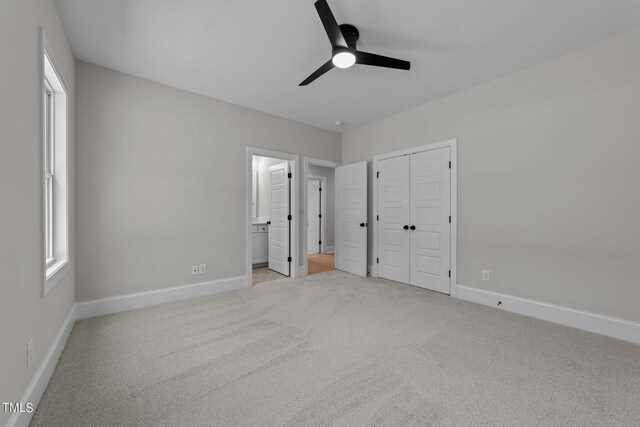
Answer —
100 307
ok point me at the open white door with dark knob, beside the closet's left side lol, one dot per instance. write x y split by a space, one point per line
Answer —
351 218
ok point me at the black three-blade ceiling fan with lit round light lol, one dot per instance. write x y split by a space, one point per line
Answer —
344 54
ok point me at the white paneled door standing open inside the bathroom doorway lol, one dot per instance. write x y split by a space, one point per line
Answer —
279 228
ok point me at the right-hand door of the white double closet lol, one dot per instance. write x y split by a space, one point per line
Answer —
430 228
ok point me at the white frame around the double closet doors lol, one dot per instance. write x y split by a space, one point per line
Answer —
453 145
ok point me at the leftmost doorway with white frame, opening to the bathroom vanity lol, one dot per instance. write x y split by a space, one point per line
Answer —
272 226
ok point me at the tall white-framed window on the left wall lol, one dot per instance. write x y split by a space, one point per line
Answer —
54 173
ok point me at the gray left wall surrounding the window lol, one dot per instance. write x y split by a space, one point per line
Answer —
23 312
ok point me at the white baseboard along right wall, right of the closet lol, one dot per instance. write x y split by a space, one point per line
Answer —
626 330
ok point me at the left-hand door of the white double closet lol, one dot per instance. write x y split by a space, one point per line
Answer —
394 219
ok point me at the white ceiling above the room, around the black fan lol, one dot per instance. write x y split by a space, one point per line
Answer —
255 52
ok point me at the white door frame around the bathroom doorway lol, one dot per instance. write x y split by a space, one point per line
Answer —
294 206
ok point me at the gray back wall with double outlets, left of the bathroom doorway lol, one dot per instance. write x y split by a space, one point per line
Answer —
161 181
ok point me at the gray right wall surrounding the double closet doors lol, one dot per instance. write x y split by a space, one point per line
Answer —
549 183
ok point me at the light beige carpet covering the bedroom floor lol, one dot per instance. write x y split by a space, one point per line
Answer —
337 349
